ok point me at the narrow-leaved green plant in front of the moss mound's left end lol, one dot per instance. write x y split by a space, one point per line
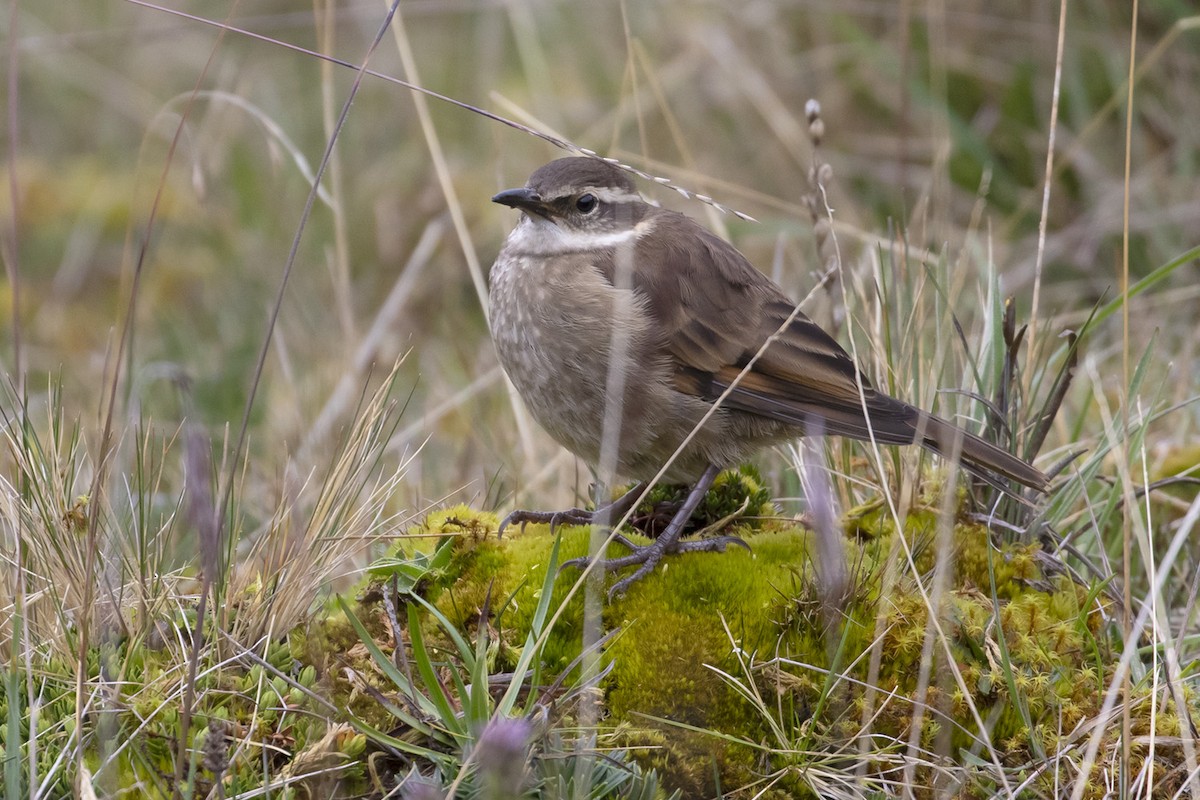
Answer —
464 730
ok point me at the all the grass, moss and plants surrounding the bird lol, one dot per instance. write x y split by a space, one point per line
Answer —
256 443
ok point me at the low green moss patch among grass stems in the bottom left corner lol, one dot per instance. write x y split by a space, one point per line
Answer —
130 737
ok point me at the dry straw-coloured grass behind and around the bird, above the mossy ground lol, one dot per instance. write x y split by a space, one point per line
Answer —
167 160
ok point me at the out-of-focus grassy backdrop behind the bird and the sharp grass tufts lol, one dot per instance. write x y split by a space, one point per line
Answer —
938 122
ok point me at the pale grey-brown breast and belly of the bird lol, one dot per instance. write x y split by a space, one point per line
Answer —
556 334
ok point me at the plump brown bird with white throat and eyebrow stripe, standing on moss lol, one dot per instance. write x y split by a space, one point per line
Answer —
593 272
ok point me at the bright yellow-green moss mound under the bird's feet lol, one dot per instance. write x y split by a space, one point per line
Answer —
705 631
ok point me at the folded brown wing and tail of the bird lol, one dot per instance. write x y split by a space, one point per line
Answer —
716 311
